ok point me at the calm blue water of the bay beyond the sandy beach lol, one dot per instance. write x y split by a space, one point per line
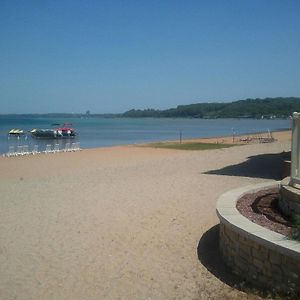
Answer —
103 132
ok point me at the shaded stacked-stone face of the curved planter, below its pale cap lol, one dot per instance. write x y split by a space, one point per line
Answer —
258 264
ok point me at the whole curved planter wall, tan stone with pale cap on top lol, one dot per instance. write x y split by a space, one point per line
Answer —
258 255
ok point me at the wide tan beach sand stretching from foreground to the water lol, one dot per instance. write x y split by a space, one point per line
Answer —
122 222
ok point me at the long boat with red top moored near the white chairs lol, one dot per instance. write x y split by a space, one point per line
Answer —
66 131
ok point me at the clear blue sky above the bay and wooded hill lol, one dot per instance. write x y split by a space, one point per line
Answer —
111 56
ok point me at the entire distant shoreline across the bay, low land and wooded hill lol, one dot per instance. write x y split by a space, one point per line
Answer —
267 108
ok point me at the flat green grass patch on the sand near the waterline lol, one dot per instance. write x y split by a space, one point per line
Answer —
190 146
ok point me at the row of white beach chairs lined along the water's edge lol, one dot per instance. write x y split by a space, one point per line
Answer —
24 149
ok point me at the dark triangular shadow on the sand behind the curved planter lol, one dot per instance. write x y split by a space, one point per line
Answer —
268 166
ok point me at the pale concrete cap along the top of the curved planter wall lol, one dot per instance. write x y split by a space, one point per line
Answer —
230 216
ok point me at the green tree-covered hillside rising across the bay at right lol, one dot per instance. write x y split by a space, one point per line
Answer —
249 108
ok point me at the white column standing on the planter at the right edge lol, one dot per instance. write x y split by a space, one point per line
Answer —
295 165
